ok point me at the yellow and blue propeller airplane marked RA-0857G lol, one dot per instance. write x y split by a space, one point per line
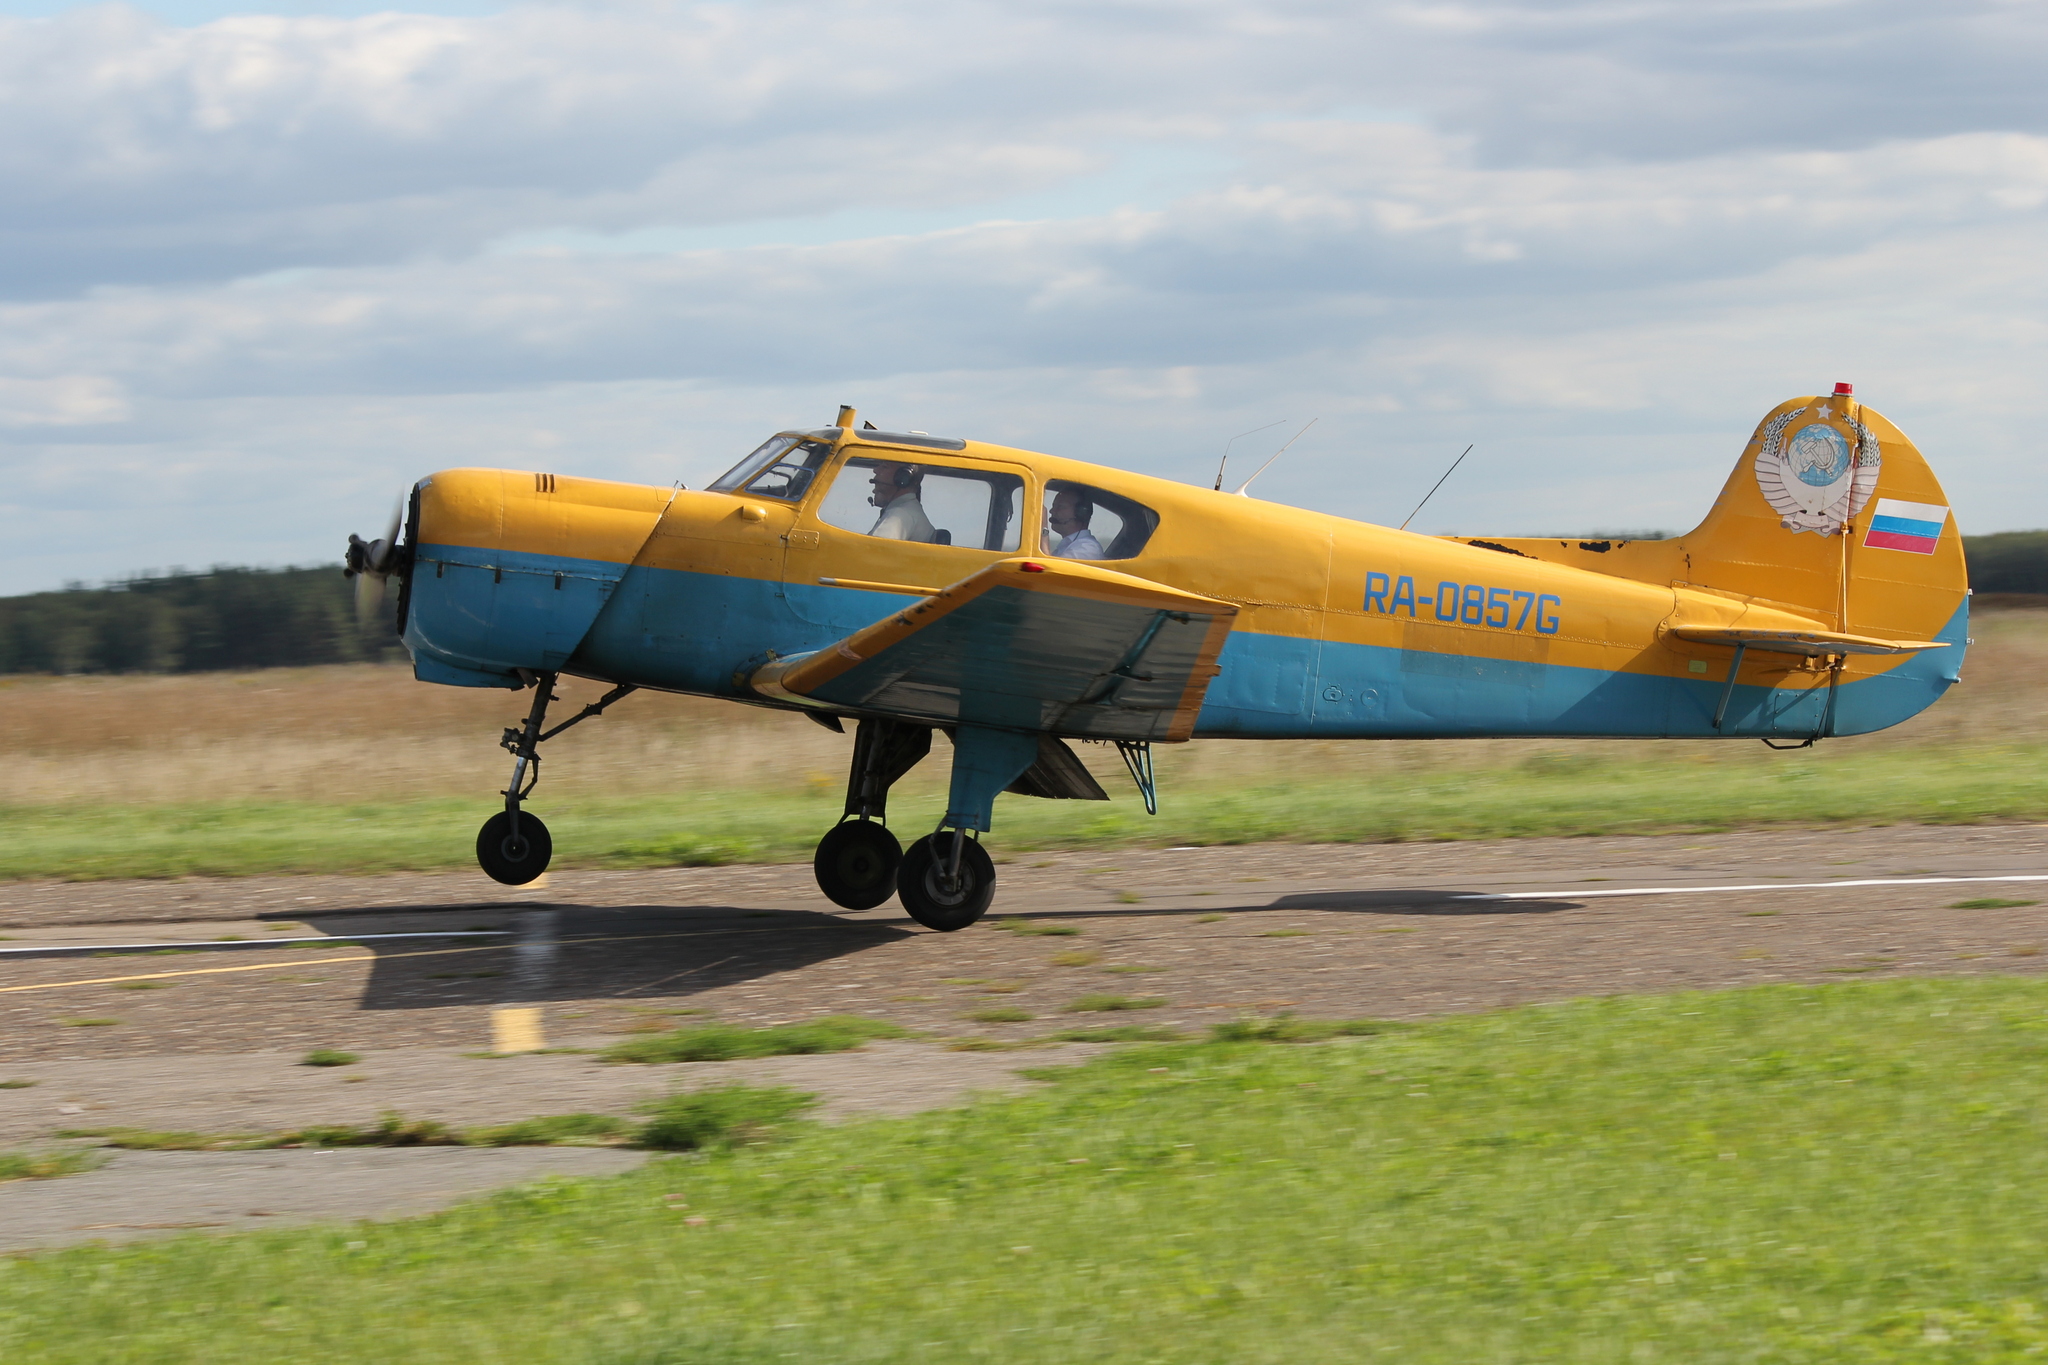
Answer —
1017 601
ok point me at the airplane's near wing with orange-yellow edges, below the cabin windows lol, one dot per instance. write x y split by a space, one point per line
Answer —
1027 646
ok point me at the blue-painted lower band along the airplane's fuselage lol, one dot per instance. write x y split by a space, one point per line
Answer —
708 633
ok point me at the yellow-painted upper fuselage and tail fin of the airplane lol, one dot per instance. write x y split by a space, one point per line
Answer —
1299 574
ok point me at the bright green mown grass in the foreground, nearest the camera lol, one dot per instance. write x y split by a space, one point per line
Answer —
1789 1174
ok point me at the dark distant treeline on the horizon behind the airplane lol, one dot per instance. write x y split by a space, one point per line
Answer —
259 619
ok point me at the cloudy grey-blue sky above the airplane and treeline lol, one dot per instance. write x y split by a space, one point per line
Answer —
263 269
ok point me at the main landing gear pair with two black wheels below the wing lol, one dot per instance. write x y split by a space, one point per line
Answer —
945 879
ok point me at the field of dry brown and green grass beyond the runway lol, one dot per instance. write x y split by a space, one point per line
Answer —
191 760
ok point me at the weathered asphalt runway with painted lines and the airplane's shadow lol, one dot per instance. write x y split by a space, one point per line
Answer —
210 992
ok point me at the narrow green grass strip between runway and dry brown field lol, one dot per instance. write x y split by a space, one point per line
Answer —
1590 791
